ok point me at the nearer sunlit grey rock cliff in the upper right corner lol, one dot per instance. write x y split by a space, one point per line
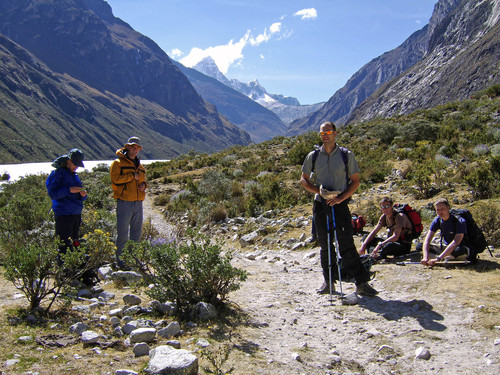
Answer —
462 58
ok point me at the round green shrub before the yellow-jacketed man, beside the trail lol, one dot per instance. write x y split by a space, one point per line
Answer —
186 273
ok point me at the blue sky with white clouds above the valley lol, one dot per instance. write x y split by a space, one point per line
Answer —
304 49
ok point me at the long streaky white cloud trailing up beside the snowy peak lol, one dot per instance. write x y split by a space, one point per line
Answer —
231 53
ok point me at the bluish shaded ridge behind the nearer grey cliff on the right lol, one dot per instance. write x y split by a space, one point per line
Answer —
374 74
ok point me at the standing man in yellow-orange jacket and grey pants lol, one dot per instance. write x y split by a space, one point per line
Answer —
128 179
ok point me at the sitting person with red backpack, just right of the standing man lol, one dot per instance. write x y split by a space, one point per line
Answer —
395 244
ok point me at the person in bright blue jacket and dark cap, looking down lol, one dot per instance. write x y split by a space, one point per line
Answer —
67 194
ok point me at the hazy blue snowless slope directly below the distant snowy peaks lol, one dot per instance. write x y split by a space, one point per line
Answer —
261 123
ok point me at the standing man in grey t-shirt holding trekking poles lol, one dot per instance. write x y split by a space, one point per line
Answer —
337 178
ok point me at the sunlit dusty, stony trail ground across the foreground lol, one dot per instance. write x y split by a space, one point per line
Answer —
440 320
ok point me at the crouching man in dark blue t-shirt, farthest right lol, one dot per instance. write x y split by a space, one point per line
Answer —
453 229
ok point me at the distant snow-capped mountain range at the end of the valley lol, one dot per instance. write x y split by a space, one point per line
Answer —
286 107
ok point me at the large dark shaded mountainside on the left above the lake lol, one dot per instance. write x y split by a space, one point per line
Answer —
96 81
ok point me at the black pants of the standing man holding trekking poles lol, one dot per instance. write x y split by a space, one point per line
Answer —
350 262
